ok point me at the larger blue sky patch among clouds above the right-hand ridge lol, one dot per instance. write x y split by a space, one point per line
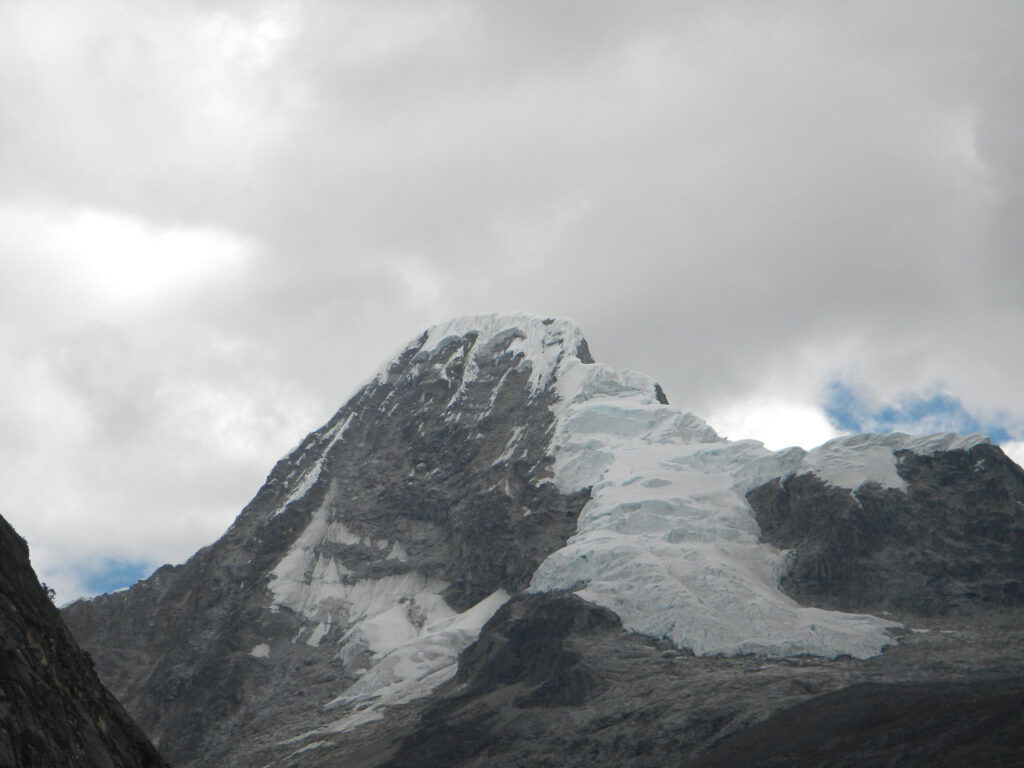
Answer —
936 411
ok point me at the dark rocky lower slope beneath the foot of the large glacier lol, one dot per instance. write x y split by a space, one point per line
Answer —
938 699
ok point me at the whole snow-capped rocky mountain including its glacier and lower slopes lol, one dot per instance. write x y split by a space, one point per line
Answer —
501 552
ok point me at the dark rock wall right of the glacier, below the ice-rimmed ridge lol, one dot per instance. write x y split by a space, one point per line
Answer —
955 539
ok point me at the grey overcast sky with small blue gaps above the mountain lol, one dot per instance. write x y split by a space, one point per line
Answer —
219 219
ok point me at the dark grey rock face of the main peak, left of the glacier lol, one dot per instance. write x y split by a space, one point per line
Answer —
430 473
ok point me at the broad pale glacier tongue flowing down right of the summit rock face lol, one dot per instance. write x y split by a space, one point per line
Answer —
668 541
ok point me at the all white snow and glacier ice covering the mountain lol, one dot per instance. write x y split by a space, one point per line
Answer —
667 540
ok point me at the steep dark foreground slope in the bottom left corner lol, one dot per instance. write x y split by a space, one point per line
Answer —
54 710
